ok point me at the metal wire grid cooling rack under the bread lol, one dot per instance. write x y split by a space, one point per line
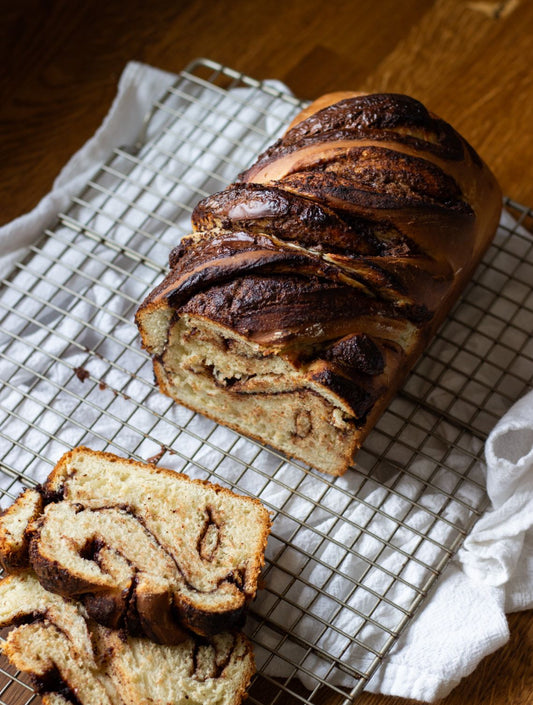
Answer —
351 559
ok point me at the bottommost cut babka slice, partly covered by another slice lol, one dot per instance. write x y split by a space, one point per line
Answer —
71 659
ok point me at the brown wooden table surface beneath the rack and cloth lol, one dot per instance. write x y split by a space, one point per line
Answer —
471 62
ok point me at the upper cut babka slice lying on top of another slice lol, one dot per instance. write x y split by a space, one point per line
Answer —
144 548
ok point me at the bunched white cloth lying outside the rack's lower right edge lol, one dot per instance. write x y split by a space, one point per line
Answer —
464 619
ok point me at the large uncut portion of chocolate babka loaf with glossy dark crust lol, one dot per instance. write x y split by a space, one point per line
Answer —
309 287
